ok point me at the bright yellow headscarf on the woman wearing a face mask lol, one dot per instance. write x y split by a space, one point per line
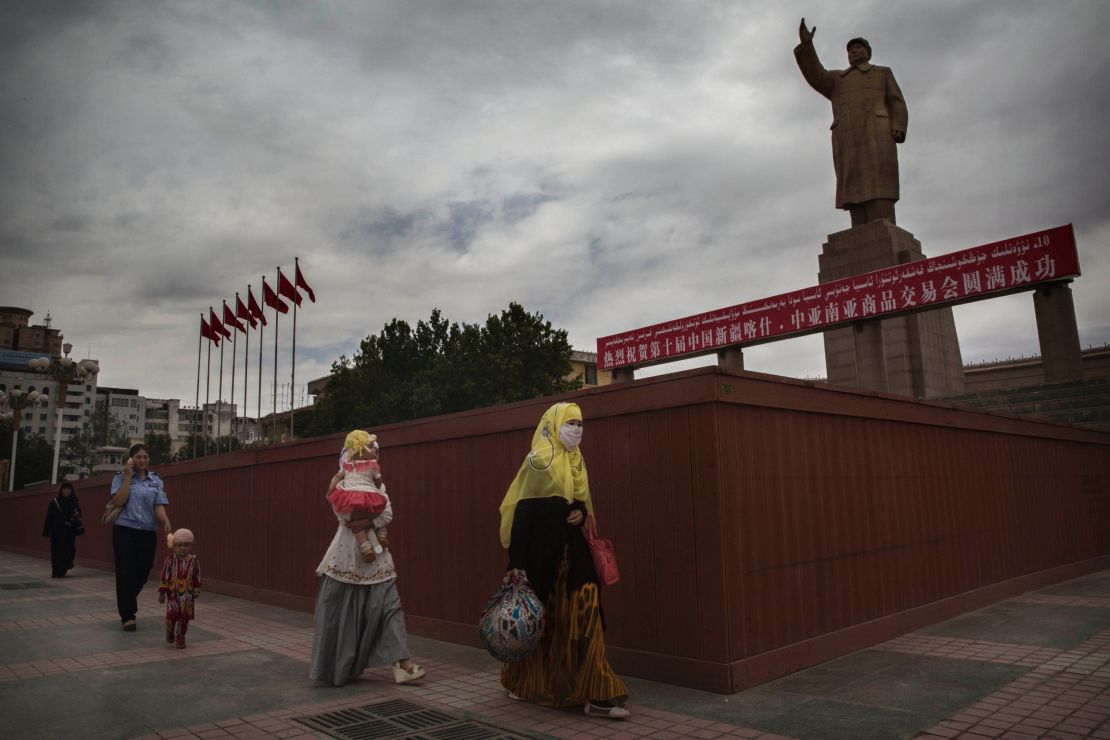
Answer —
550 470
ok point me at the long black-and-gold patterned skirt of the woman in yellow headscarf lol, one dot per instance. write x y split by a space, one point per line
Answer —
569 666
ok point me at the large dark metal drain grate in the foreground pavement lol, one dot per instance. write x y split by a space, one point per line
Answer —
401 719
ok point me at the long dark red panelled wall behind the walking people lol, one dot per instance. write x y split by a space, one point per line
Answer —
762 525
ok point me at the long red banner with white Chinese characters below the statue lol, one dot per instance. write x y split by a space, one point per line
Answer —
982 272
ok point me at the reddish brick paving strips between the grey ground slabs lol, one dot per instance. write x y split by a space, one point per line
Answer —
1063 694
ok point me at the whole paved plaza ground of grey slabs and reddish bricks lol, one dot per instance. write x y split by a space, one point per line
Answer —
1033 666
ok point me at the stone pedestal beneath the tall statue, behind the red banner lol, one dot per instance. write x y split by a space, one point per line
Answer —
922 351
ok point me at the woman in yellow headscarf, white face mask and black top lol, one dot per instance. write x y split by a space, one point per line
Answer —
541 526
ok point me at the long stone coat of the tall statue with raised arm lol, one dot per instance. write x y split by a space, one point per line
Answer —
867 105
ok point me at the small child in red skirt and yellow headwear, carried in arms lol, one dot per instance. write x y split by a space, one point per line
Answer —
357 491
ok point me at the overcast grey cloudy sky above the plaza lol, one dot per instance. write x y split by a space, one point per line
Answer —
610 165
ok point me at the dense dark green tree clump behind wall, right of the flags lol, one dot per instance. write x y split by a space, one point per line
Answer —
441 368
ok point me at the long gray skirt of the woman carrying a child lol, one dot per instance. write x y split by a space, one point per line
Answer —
357 627
